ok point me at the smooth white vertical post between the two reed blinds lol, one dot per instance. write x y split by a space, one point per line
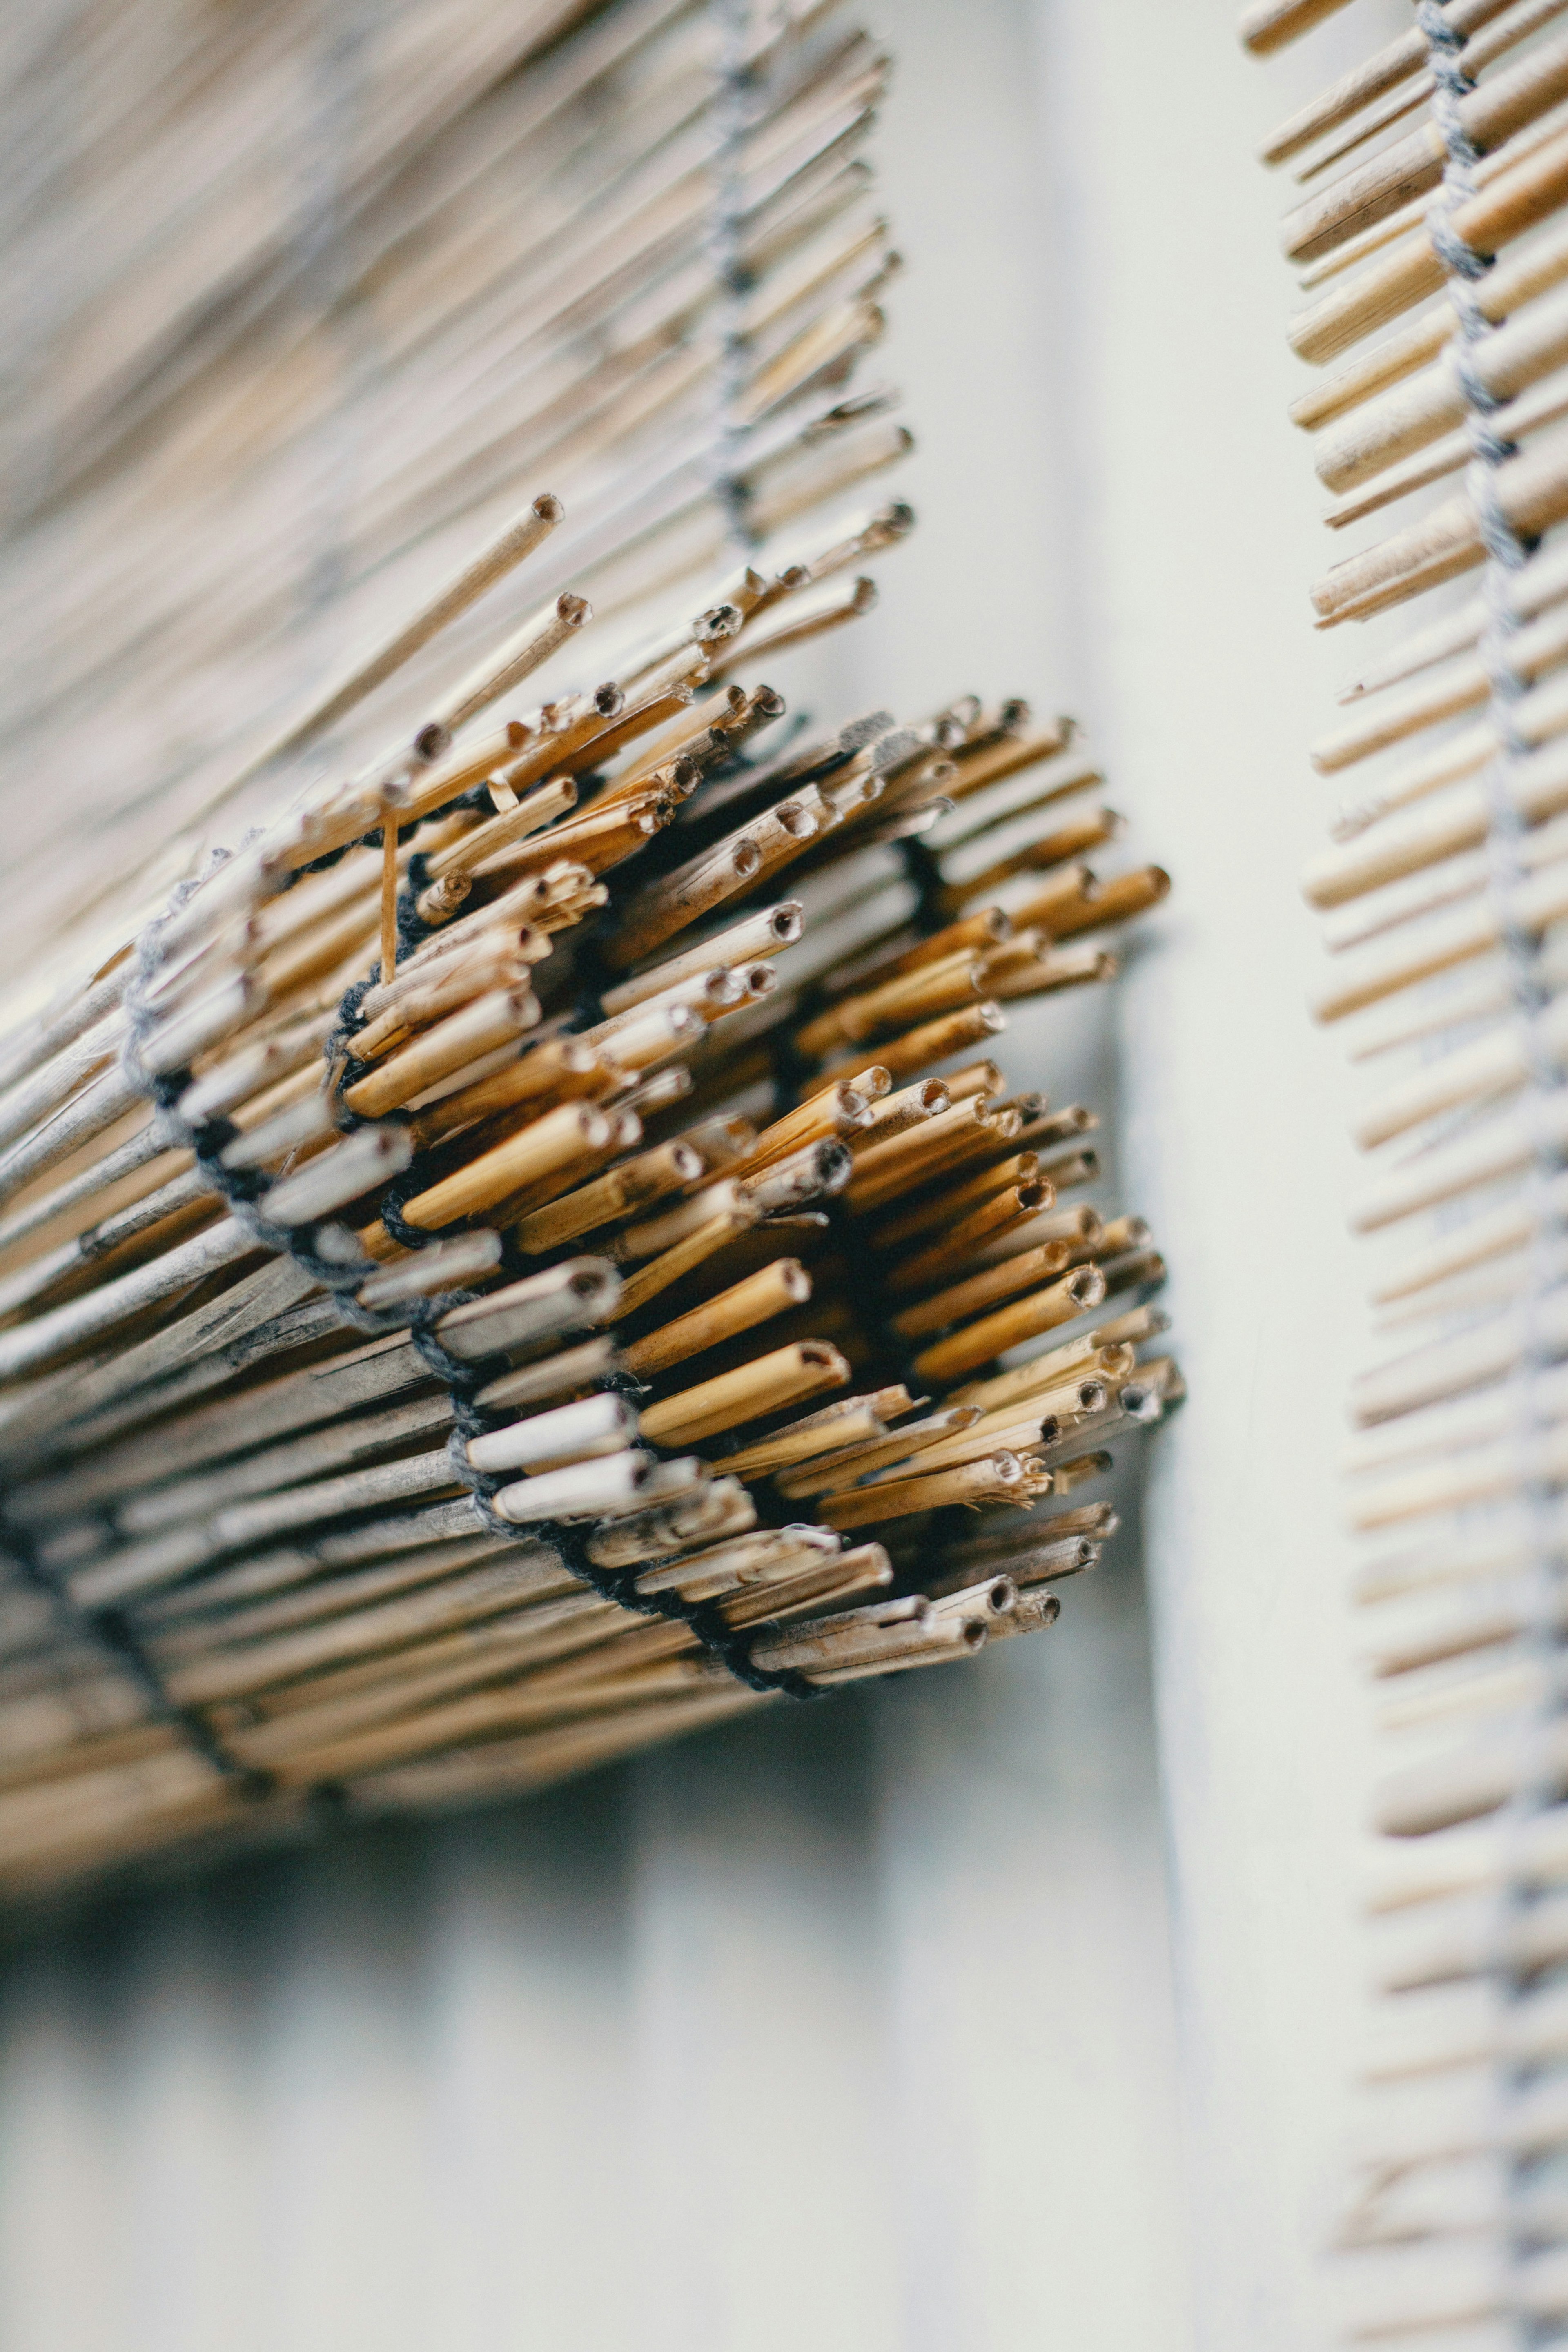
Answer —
1198 533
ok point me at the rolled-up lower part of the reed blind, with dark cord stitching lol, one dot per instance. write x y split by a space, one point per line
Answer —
655 1252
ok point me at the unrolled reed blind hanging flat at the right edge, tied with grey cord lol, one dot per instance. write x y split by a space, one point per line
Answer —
1433 234
